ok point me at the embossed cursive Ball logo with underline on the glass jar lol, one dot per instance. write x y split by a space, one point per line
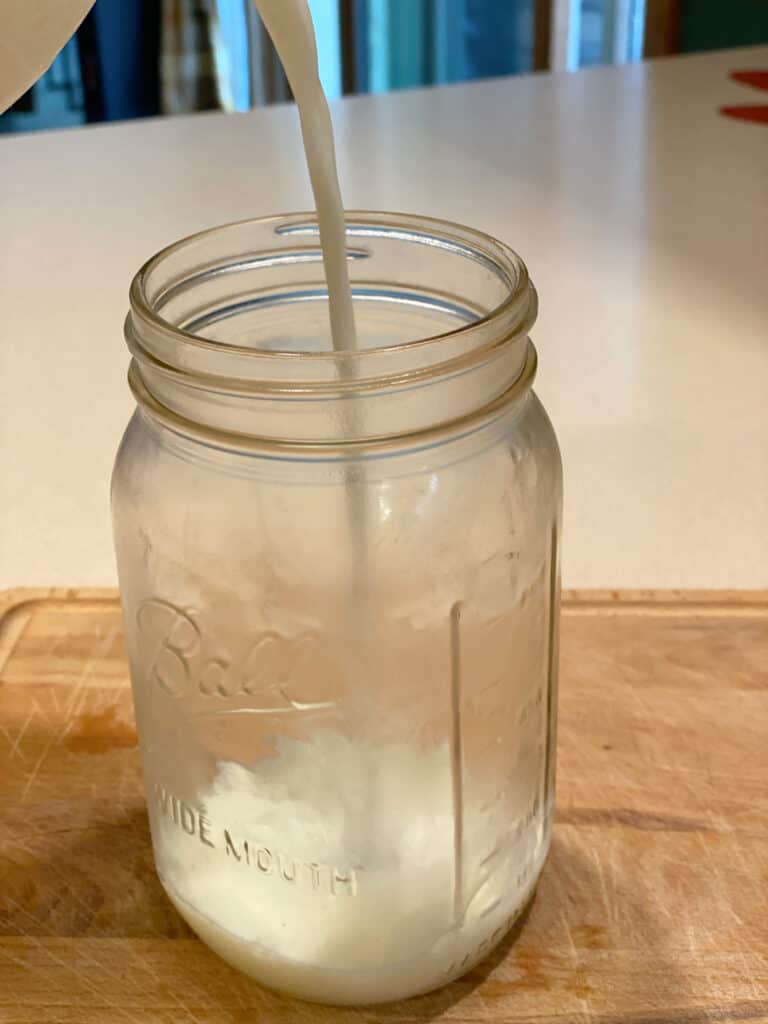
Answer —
275 675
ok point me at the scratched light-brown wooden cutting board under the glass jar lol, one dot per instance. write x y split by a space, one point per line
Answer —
653 909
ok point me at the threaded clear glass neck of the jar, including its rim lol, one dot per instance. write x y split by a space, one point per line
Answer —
229 332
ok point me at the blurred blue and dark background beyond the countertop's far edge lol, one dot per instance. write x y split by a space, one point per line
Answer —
134 59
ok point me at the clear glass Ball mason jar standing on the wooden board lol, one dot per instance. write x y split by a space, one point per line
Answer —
339 574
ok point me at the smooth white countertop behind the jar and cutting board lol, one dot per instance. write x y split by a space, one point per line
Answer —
642 212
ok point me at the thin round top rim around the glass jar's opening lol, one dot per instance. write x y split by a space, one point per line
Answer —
409 227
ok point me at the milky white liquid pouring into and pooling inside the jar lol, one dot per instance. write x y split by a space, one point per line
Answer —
331 870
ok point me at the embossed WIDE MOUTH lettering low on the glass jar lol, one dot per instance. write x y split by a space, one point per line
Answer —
265 861
